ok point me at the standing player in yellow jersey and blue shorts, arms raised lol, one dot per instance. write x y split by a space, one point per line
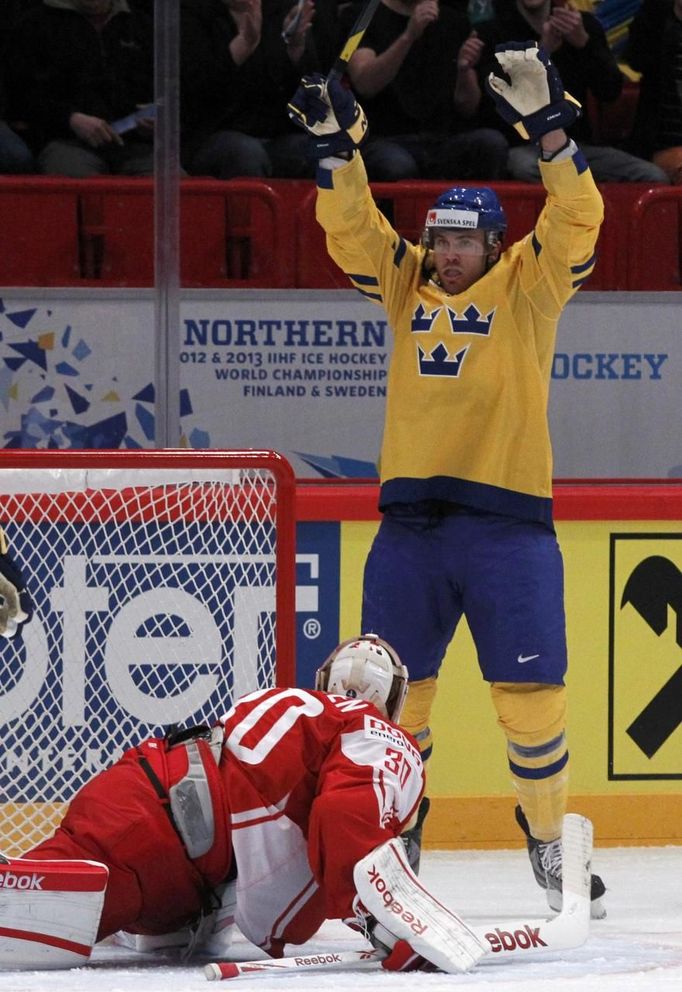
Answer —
466 462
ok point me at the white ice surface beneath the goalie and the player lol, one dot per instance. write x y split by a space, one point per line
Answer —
637 948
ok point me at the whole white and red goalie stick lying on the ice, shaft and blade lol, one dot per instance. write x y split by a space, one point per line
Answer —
518 939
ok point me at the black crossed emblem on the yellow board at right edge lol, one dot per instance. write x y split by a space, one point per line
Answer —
655 585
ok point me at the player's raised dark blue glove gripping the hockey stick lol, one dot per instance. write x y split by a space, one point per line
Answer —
331 115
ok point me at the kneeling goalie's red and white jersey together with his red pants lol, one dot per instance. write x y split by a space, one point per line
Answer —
306 784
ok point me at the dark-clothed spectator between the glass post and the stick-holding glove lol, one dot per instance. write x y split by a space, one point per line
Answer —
240 61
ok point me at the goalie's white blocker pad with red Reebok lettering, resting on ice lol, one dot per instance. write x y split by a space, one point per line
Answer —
392 893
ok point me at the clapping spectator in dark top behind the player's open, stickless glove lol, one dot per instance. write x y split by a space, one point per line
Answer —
576 42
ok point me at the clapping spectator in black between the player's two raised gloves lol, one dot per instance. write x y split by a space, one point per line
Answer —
415 74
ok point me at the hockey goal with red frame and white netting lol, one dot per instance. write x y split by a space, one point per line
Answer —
164 587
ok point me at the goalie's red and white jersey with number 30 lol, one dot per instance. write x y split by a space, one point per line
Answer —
315 782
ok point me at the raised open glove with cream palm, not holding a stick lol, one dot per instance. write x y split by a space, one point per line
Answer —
534 101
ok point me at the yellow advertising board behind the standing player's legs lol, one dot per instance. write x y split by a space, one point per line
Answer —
623 585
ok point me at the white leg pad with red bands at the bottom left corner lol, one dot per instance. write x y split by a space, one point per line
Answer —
49 911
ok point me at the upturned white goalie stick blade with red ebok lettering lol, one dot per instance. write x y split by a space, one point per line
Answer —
529 938
